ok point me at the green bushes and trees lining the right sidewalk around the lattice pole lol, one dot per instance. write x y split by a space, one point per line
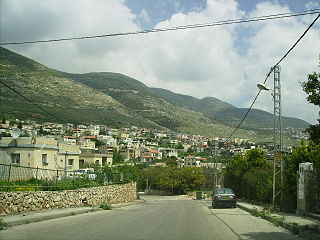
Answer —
251 177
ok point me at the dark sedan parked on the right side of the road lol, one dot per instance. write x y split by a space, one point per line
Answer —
224 197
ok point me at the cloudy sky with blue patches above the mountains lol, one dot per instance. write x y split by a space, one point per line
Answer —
226 62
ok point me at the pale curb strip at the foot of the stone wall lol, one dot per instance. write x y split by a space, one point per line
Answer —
42 216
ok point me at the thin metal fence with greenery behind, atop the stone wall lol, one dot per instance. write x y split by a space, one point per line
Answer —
21 178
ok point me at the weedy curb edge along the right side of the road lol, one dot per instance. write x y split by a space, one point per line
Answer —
295 229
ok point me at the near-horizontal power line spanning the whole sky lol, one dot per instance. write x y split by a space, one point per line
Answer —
219 23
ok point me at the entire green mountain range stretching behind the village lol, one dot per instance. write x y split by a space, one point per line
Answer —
118 100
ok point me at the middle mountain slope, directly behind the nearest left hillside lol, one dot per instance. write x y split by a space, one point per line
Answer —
145 102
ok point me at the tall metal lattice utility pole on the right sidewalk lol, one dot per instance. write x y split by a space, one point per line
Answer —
277 137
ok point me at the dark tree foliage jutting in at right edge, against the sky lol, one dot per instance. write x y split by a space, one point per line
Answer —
312 88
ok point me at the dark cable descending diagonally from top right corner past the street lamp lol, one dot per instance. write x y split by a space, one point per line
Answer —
269 73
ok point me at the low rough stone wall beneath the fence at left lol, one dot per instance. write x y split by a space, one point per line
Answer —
13 202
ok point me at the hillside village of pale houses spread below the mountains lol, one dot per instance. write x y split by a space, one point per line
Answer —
70 147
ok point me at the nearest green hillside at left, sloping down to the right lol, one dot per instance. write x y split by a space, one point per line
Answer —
65 98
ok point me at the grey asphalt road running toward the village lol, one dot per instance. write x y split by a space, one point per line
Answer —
158 218
